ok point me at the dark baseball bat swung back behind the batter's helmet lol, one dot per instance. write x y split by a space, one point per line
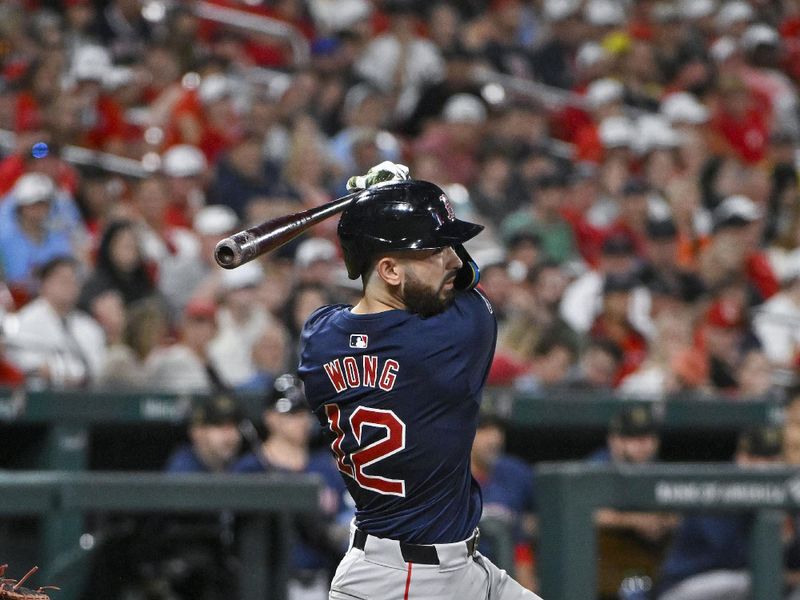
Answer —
246 245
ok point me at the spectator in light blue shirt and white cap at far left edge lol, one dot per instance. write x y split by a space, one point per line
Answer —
27 237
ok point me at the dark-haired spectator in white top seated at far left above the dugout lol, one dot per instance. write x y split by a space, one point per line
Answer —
55 344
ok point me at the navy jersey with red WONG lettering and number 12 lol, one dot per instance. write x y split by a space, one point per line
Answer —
399 397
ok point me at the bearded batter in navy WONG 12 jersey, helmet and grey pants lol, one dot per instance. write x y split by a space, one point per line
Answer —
396 383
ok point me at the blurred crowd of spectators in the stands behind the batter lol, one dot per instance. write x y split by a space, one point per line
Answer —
634 162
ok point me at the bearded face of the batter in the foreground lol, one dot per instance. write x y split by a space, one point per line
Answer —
428 285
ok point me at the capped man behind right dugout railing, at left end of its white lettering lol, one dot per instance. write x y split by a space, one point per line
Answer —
630 542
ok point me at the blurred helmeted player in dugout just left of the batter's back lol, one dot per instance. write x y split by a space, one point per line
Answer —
322 538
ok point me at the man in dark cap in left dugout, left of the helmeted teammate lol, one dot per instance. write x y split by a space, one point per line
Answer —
214 438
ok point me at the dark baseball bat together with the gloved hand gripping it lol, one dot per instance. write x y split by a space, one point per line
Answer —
246 245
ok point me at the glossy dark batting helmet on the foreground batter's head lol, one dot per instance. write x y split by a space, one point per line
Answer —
399 215
